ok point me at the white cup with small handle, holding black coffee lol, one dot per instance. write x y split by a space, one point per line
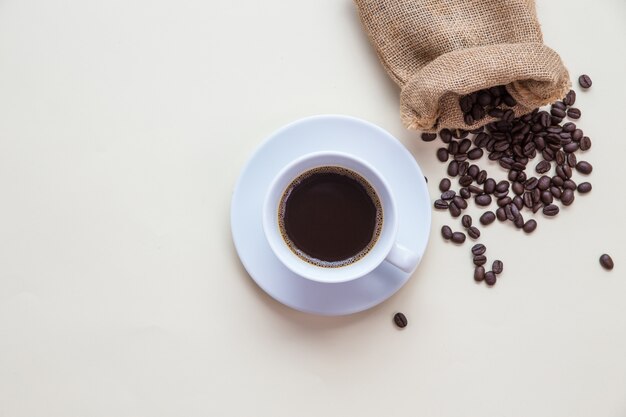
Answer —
385 249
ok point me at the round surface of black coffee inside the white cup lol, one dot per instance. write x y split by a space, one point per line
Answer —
330 216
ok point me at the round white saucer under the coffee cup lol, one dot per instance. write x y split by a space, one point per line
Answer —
328 133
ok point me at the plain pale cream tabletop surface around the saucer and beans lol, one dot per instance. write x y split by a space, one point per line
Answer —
123 128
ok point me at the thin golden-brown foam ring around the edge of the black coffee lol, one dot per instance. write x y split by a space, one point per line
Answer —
330 170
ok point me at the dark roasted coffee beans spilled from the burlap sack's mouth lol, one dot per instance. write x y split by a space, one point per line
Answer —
514 143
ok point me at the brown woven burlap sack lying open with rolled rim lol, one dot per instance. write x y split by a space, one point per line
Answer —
439 50
